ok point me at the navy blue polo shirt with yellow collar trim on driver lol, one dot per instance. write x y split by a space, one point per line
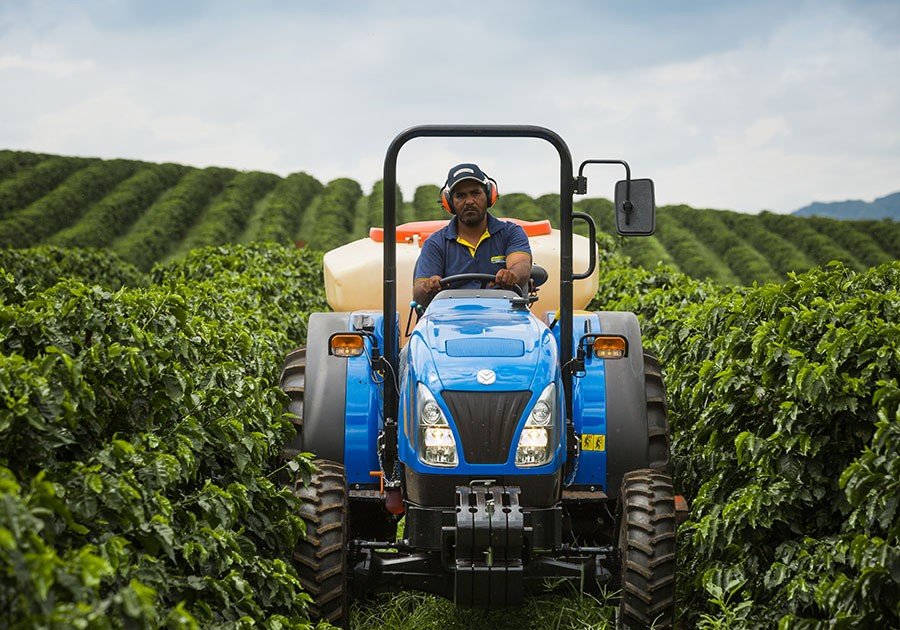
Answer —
445 254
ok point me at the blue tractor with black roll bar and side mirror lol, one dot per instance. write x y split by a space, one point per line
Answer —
516 448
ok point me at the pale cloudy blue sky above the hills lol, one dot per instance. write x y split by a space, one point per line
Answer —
747 106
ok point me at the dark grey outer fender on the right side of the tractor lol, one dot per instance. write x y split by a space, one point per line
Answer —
627 436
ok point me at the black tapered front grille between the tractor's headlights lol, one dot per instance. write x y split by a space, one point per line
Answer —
486 422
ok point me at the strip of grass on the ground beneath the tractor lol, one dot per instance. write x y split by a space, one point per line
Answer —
419 611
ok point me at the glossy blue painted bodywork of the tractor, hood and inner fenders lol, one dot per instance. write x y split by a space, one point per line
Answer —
454 339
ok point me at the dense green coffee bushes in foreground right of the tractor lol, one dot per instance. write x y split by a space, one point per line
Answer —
783 403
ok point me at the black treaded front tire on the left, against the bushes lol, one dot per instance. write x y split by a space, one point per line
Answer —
321 556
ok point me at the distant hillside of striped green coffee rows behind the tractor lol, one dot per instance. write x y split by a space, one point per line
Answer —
151 213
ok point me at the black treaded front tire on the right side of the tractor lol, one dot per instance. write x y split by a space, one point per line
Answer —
647 549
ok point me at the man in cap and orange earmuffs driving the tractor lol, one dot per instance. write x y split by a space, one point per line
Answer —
474 241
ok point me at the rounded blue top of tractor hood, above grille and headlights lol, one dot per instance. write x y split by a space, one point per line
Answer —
482 344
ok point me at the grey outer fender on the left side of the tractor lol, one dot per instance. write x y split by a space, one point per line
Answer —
325 397
